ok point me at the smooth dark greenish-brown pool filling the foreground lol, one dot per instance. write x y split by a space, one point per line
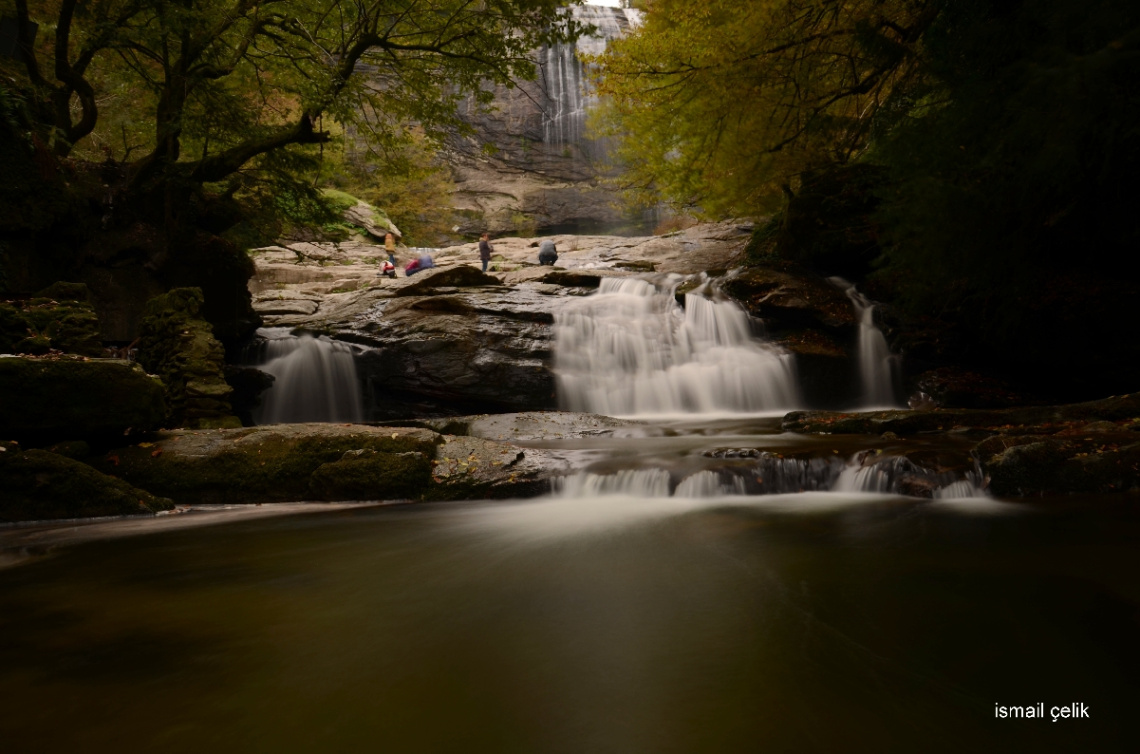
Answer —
818 622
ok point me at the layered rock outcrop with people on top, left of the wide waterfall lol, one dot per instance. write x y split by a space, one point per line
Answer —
453 340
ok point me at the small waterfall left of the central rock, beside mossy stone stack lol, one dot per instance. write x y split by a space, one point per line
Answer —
315 380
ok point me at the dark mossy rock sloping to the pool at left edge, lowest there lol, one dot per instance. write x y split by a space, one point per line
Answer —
38 485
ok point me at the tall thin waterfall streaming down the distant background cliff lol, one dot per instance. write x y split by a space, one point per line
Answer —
568 92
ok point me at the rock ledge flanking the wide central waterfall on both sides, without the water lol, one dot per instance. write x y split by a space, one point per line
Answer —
453 340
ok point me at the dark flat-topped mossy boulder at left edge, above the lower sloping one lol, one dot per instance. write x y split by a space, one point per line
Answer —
47 401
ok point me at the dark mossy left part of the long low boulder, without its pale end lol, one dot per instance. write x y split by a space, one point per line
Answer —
278 464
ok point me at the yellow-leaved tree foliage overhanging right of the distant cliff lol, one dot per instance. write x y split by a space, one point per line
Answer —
722 106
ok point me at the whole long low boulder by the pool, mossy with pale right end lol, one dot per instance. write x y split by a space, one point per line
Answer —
331 463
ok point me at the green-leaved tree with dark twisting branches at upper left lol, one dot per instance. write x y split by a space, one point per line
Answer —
201 90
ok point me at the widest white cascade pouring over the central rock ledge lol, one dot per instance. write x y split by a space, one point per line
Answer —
630 350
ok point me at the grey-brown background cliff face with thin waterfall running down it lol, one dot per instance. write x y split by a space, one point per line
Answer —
533 166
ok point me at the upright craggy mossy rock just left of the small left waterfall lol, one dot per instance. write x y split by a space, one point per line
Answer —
178 345
